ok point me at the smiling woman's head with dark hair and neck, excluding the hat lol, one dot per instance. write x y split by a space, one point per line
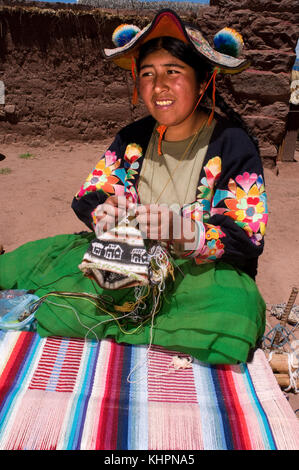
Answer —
170 86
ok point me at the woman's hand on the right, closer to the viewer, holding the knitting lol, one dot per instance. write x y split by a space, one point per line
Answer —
158 222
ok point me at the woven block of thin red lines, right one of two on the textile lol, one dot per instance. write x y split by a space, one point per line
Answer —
165 384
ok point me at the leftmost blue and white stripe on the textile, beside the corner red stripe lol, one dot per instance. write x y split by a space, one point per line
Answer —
21 377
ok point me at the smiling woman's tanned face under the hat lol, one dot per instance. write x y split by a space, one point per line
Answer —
169 90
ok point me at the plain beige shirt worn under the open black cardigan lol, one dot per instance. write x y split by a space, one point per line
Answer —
172 178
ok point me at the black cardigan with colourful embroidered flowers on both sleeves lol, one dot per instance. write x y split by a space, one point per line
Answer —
230 200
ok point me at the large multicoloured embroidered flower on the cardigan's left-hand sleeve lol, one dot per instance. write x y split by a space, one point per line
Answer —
103 176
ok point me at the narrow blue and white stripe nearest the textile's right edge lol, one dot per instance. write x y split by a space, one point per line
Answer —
261 415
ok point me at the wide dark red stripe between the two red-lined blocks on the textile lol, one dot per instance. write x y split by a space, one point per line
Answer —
108 421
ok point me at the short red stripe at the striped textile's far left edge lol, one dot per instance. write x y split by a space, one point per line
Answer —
15 361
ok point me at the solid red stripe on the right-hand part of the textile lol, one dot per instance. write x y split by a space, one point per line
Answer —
234 409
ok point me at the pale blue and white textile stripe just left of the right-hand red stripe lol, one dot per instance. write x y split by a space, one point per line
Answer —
210 415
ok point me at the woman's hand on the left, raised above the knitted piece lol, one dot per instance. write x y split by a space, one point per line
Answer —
110 213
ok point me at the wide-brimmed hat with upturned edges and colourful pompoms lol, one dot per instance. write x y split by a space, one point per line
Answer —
228 43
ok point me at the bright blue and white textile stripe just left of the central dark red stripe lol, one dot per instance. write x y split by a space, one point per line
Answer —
79 407
